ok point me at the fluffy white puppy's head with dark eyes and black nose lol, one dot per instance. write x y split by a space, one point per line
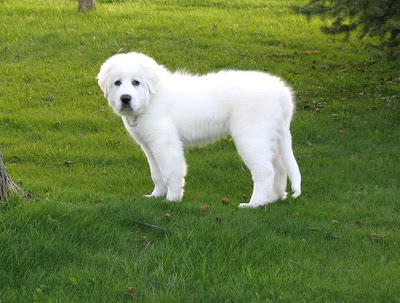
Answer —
128 81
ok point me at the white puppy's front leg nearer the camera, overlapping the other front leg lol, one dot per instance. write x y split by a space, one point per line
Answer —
170 158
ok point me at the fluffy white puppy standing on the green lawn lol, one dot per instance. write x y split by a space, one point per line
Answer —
165 112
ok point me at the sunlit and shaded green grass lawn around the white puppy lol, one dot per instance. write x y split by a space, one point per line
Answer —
79 239
